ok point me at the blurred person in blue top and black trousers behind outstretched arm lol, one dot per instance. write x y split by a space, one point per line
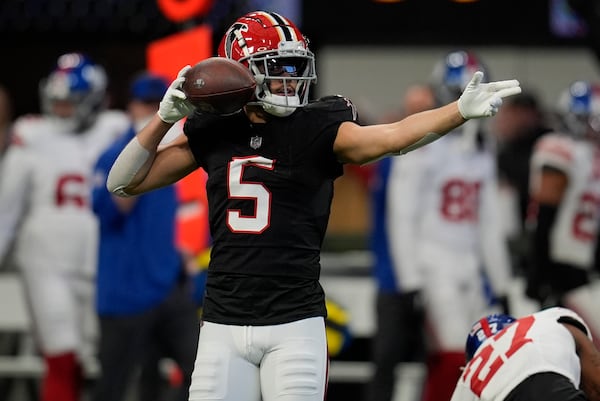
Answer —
399 315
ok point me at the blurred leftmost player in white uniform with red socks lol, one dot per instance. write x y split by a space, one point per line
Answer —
45 209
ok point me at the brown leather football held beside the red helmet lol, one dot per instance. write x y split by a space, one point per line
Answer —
219 85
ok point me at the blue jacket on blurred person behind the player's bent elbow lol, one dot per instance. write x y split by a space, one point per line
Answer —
139 264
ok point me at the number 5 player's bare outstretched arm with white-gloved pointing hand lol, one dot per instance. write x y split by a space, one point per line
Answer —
363 144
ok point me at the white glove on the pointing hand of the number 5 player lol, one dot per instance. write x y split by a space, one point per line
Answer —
483 100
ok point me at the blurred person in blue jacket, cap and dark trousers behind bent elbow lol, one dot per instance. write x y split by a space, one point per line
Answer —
144 293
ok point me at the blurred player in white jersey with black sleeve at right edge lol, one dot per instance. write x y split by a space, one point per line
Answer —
565 195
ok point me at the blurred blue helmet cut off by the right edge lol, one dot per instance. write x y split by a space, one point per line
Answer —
579 108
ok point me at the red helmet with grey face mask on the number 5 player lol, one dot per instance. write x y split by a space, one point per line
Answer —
272 47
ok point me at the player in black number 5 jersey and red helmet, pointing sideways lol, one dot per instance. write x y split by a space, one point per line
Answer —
271 169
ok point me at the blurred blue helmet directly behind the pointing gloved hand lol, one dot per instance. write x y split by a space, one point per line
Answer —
452 74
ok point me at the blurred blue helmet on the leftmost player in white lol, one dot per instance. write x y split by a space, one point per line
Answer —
78 81
